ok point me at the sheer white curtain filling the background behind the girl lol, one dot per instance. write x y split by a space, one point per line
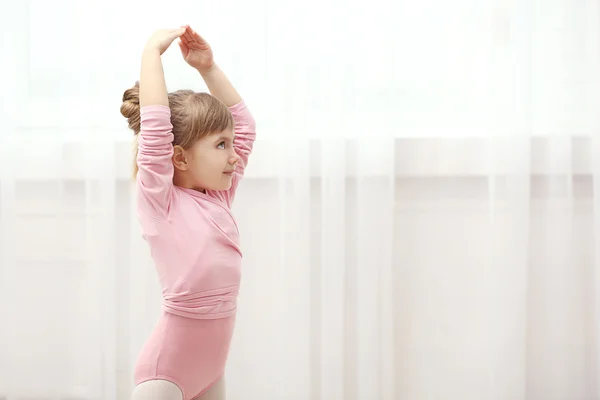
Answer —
420 219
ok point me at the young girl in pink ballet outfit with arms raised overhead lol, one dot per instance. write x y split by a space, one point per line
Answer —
192 152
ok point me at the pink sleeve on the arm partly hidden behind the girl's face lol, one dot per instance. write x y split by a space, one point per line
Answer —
245 135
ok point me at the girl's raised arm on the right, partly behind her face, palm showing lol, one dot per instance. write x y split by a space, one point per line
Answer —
198 54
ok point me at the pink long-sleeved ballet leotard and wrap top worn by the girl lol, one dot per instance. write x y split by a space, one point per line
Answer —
194 242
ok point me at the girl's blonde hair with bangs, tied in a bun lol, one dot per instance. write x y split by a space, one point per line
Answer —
193 115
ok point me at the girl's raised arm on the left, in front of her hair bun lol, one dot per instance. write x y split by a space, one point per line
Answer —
155 149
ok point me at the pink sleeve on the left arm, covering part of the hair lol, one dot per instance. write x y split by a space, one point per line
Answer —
155 149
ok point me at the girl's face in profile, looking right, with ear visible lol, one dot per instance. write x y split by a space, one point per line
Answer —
208 164
